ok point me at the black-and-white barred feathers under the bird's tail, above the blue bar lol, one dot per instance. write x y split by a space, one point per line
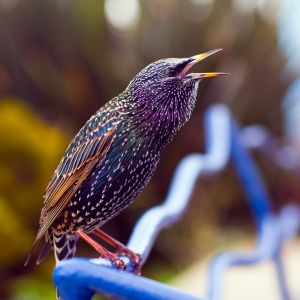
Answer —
64 246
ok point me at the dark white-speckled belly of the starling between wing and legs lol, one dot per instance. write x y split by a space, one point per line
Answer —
115 182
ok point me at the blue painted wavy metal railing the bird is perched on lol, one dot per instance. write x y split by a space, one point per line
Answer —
81 278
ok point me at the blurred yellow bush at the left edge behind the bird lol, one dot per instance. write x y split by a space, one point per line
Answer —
30 150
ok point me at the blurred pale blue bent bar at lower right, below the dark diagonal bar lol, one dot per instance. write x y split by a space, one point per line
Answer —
275 230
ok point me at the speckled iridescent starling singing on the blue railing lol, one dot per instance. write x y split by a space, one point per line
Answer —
113 157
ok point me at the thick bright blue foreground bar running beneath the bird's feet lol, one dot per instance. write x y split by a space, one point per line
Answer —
87 278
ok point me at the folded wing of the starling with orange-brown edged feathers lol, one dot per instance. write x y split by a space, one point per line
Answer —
71 173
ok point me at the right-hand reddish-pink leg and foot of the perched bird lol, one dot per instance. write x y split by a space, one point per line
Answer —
135 258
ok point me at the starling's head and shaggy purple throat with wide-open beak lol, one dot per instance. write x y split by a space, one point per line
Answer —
164 92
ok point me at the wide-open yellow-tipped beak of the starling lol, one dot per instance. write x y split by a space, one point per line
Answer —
195 59
